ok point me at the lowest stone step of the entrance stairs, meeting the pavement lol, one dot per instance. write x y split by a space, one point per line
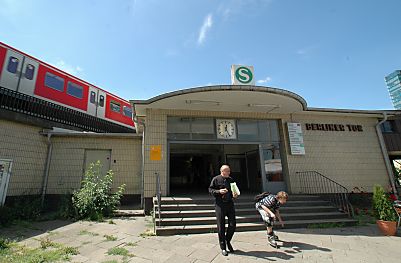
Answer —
241 227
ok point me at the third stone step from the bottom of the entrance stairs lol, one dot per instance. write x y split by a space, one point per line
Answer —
244 211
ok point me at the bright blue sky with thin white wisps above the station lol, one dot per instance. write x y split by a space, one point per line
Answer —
334 54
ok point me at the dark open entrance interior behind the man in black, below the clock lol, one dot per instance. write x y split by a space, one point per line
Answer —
192 167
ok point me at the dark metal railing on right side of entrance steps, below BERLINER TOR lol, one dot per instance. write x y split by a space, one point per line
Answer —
314 183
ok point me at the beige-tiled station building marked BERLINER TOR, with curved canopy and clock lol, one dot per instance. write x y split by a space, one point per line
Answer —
268 136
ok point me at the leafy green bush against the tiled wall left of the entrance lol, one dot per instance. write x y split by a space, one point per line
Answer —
95 200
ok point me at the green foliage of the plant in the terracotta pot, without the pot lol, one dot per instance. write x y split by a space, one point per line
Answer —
382 205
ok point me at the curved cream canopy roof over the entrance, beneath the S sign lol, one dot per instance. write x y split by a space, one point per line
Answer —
230 98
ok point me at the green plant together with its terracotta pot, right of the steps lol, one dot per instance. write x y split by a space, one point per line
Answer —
384 211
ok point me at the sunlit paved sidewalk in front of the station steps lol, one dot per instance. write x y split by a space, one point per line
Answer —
349 244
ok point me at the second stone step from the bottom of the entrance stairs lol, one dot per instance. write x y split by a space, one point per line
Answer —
246 219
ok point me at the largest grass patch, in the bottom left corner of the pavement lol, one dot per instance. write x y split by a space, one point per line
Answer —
13 252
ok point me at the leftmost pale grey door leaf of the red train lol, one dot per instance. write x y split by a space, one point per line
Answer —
11 70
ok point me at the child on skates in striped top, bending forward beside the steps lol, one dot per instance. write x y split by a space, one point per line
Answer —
268 206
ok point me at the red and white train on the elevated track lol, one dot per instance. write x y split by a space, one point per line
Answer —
25 74
